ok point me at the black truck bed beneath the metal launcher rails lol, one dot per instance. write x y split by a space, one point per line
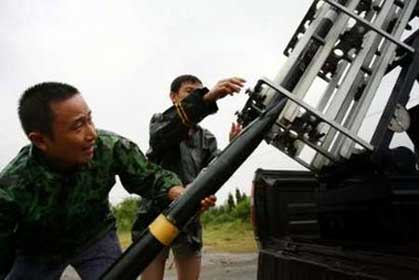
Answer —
361 229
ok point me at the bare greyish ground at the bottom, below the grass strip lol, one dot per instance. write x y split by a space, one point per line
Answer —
215 266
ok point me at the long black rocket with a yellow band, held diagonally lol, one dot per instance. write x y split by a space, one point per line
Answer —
163 230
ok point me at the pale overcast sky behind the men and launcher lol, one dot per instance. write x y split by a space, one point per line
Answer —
122 56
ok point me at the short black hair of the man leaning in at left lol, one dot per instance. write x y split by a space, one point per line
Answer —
34 109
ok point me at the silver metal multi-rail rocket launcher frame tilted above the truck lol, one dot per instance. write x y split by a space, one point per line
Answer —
337 59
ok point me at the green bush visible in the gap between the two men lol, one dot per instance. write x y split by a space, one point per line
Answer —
125 213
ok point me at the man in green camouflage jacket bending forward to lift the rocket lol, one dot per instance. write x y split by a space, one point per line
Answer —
54 208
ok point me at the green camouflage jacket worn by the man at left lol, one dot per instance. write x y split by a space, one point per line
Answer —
47 215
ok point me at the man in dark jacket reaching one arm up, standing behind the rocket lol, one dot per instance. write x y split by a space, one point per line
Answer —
180 145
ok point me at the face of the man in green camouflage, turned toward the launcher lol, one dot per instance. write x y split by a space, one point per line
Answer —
73 132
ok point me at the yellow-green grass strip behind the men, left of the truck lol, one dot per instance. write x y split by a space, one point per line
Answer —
234 237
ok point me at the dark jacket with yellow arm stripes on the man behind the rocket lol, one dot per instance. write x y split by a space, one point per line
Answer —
179 144
